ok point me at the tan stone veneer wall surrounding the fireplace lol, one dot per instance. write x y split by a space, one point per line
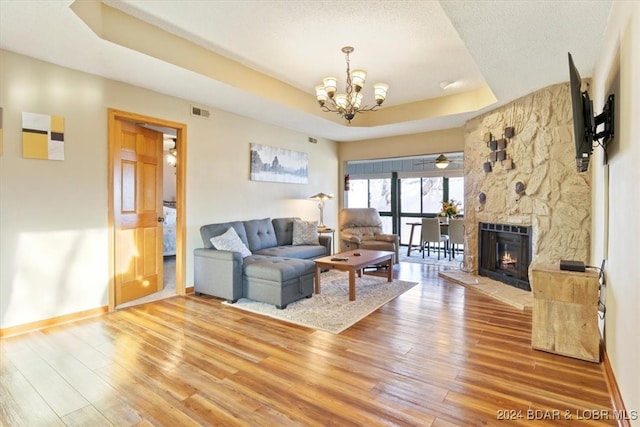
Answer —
557 200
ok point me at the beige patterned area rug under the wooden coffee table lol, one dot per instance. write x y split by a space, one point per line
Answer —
331 310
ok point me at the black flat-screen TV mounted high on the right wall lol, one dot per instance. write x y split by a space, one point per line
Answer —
583 122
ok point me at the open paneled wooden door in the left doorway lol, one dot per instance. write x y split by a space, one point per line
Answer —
137 201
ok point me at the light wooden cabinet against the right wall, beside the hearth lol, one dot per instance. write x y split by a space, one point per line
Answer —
565 312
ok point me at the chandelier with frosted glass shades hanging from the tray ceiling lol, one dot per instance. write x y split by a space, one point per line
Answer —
349 103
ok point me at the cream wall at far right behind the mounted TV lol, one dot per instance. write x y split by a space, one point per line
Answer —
616 197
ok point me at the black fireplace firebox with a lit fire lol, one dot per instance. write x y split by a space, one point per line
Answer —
505 253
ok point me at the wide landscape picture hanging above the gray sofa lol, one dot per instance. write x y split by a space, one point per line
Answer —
278 165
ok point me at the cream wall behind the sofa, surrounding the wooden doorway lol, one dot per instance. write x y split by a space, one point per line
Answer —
53 214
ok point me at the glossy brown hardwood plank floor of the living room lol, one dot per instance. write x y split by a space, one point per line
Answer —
438 355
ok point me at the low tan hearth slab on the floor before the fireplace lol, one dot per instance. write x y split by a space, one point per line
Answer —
510 295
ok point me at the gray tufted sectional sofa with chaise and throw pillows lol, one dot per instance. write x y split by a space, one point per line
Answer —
277 272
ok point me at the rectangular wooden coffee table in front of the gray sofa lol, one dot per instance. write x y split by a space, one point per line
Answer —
354 263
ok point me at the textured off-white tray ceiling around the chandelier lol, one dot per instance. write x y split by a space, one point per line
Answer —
510 48
